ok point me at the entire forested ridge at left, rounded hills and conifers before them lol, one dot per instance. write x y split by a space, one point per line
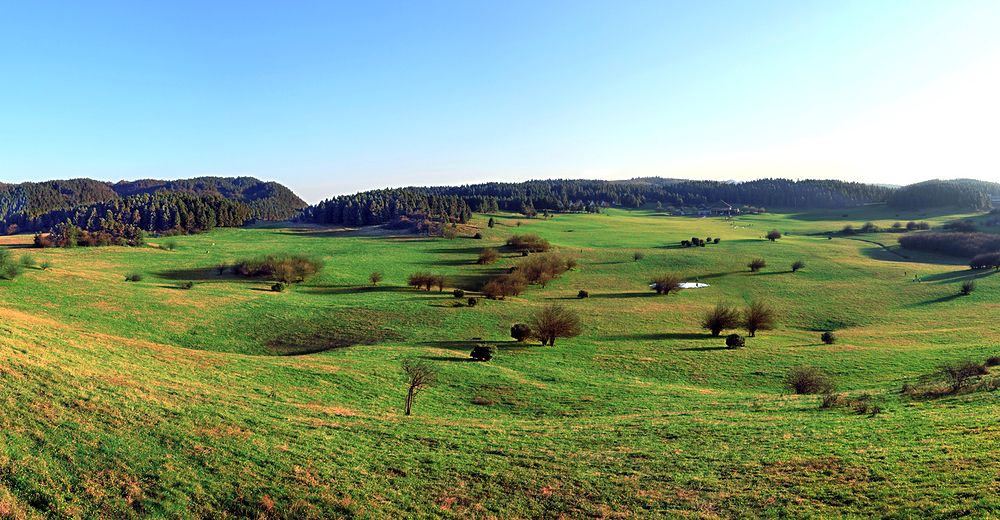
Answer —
37 206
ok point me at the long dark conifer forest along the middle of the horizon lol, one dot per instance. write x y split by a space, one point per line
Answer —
455 202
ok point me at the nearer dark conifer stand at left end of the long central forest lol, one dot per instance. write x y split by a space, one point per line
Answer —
386 206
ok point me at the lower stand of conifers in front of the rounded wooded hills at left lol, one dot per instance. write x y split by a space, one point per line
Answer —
125 220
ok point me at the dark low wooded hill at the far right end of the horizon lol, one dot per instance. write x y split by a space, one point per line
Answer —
961 193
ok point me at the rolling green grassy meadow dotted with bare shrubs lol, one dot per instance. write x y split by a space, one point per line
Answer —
143 399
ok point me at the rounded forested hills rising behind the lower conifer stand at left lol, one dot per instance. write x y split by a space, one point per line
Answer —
27 205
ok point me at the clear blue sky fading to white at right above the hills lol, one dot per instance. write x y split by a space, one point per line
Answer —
331 97
